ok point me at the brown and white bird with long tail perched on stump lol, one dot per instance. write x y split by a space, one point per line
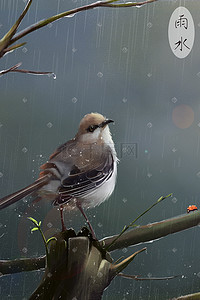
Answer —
81 173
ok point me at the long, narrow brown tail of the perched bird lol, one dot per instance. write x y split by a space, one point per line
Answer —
12 198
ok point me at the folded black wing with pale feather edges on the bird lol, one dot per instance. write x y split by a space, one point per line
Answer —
80 183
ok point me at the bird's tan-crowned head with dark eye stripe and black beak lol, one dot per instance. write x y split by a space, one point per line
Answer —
94 126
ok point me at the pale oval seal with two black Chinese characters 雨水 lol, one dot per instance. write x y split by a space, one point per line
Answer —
181 32
